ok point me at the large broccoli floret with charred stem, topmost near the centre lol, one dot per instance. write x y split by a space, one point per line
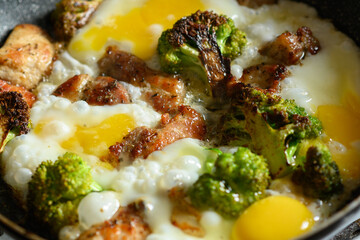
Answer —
200 46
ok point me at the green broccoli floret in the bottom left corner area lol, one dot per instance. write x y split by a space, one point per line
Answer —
57 188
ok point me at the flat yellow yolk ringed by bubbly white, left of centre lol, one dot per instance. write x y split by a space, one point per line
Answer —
96 140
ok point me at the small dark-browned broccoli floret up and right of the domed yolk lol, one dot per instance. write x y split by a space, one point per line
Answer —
318 175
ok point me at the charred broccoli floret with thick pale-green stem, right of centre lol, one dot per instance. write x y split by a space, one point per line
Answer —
275 125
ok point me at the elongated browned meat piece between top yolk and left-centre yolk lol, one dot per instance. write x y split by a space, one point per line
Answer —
166 92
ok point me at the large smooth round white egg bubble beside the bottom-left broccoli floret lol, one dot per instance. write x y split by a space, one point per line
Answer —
97 207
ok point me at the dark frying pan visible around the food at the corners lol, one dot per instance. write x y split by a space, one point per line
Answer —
345 15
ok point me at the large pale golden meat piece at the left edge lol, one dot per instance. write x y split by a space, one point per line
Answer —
26 56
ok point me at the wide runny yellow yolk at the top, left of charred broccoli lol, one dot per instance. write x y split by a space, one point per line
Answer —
135 27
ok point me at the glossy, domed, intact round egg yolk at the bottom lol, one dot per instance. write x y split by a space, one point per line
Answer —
273 218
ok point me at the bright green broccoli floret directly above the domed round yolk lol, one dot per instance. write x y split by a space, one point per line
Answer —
235 182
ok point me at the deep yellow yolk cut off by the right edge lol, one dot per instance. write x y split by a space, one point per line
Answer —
342 124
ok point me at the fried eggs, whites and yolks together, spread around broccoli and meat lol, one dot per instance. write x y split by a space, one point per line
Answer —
327 84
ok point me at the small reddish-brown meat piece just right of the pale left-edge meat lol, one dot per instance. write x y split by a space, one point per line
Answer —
73 88
